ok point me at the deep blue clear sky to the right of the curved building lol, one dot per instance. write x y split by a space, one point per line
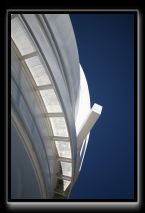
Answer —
106 50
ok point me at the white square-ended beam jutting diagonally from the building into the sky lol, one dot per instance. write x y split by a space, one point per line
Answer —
89 123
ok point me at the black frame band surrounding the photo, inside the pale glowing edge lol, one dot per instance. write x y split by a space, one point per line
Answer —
136 178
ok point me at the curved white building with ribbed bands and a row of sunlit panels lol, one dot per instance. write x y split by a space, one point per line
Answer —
48 91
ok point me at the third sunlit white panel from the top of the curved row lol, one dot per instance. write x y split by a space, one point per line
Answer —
51 101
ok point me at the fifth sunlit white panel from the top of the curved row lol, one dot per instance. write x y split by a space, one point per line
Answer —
63 149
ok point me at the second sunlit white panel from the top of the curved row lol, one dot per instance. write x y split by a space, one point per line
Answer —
38 71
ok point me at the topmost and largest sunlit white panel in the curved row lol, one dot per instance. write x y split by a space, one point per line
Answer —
21 37
